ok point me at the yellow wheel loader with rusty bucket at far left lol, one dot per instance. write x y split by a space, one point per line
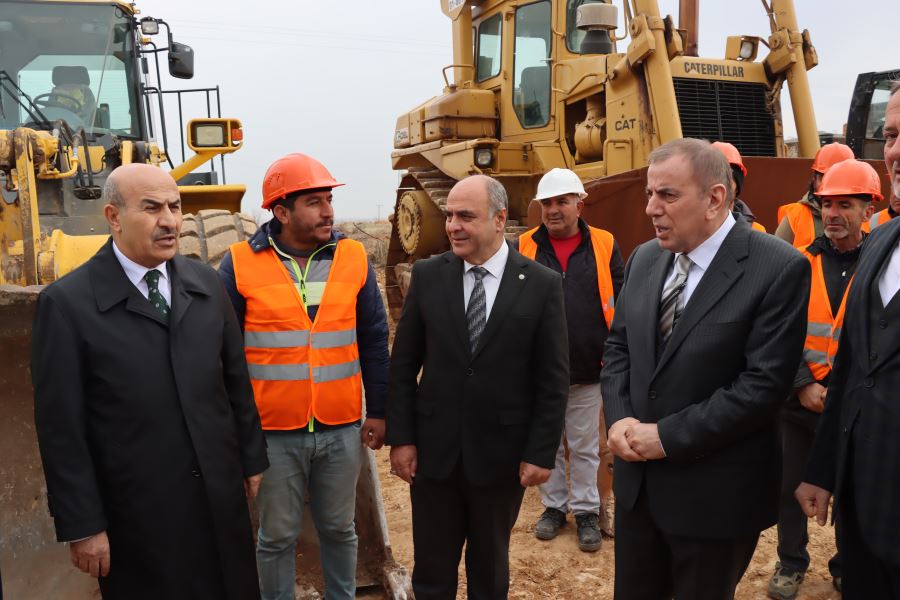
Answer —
78 98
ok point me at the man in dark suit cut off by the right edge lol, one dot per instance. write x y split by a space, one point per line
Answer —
856 453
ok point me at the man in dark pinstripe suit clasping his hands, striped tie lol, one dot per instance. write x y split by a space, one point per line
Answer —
708 332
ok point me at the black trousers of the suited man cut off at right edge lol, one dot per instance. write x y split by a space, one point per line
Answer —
866 576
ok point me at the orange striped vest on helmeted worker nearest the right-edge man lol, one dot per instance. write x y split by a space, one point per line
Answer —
823 329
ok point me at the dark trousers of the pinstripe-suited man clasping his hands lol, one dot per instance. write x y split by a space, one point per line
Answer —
653 565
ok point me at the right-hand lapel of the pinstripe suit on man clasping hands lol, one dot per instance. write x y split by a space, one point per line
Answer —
722 274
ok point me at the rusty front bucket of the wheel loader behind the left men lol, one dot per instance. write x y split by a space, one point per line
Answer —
35 565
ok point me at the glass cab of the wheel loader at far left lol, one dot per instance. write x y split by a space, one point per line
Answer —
70 62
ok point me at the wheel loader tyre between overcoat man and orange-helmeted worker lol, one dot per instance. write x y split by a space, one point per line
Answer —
207 235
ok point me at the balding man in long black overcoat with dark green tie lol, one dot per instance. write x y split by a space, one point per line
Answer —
145 416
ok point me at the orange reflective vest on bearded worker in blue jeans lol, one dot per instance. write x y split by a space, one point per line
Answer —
301 368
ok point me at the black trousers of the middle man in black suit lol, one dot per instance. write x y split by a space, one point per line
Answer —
450 512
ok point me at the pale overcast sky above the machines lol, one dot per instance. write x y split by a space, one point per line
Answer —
329 78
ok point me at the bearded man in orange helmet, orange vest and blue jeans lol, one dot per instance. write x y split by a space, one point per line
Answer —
315 334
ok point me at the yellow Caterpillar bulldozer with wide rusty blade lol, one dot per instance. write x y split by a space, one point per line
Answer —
538 84
